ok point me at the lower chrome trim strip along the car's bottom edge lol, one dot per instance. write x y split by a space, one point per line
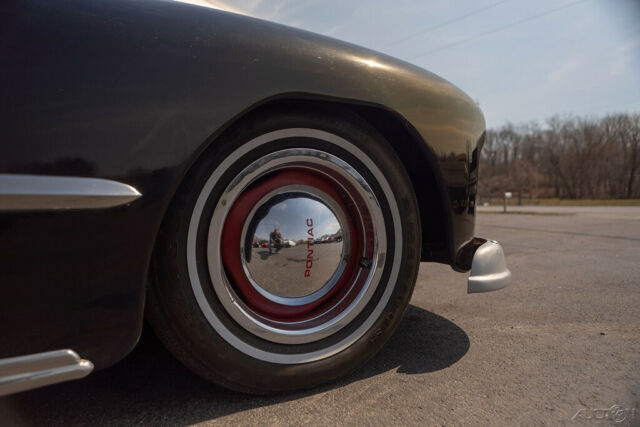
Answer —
37 370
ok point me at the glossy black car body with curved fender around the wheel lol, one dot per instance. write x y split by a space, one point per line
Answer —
134 92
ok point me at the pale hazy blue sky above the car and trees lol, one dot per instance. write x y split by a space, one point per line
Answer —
521 60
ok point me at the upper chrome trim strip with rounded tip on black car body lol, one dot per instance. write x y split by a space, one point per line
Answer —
42 192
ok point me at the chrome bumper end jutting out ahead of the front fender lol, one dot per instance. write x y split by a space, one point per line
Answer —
489 270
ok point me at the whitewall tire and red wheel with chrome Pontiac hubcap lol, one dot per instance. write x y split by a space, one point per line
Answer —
286 317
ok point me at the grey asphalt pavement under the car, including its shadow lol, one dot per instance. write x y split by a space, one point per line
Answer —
561 345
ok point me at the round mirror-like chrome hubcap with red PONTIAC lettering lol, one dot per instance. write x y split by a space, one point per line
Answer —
295 245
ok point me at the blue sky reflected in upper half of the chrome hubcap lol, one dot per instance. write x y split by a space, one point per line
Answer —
290 216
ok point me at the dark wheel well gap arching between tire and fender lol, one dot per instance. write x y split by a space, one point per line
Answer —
419 161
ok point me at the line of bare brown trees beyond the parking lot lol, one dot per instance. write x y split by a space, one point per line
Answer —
569 157
